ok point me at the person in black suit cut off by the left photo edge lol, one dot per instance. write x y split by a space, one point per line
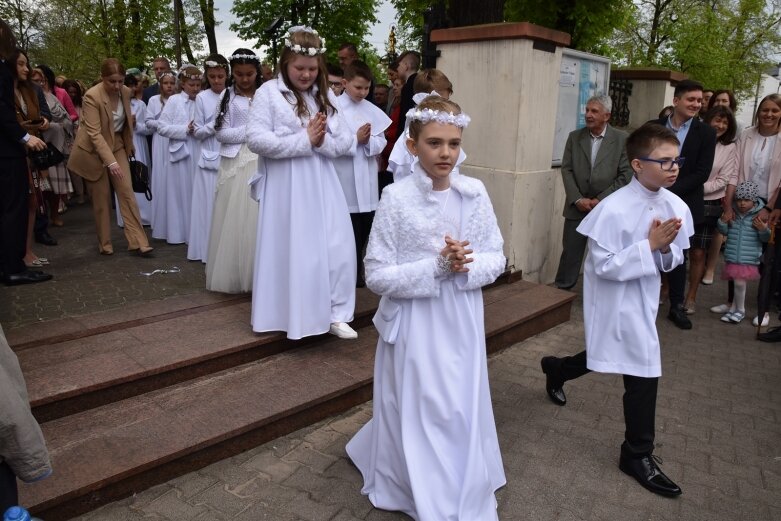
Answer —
14 185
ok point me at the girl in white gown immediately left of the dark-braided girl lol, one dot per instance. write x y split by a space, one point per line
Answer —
205 175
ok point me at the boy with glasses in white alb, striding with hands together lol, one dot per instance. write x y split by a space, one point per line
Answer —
633 235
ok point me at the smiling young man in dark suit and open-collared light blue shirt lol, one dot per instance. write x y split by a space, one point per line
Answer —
698 146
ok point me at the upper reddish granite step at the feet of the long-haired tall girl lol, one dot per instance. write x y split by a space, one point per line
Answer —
118 355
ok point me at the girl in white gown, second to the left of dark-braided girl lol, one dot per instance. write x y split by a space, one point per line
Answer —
177 124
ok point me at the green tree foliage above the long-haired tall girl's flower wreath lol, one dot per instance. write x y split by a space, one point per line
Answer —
337 21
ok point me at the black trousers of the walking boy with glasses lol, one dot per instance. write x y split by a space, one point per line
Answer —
639 406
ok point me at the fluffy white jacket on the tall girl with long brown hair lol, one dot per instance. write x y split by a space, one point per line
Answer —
275 131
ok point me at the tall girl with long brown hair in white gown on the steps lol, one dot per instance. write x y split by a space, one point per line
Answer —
305 266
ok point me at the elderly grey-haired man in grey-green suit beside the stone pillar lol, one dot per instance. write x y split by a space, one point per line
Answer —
594 166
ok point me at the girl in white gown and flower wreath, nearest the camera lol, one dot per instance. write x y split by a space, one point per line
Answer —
431 449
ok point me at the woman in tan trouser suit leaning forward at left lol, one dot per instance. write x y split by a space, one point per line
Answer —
100 155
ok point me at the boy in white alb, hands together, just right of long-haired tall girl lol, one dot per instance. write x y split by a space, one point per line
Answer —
358 173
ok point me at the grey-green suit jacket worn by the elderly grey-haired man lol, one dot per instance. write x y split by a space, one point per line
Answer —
610 172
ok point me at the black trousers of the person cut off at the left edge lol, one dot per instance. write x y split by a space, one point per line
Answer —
14 190
